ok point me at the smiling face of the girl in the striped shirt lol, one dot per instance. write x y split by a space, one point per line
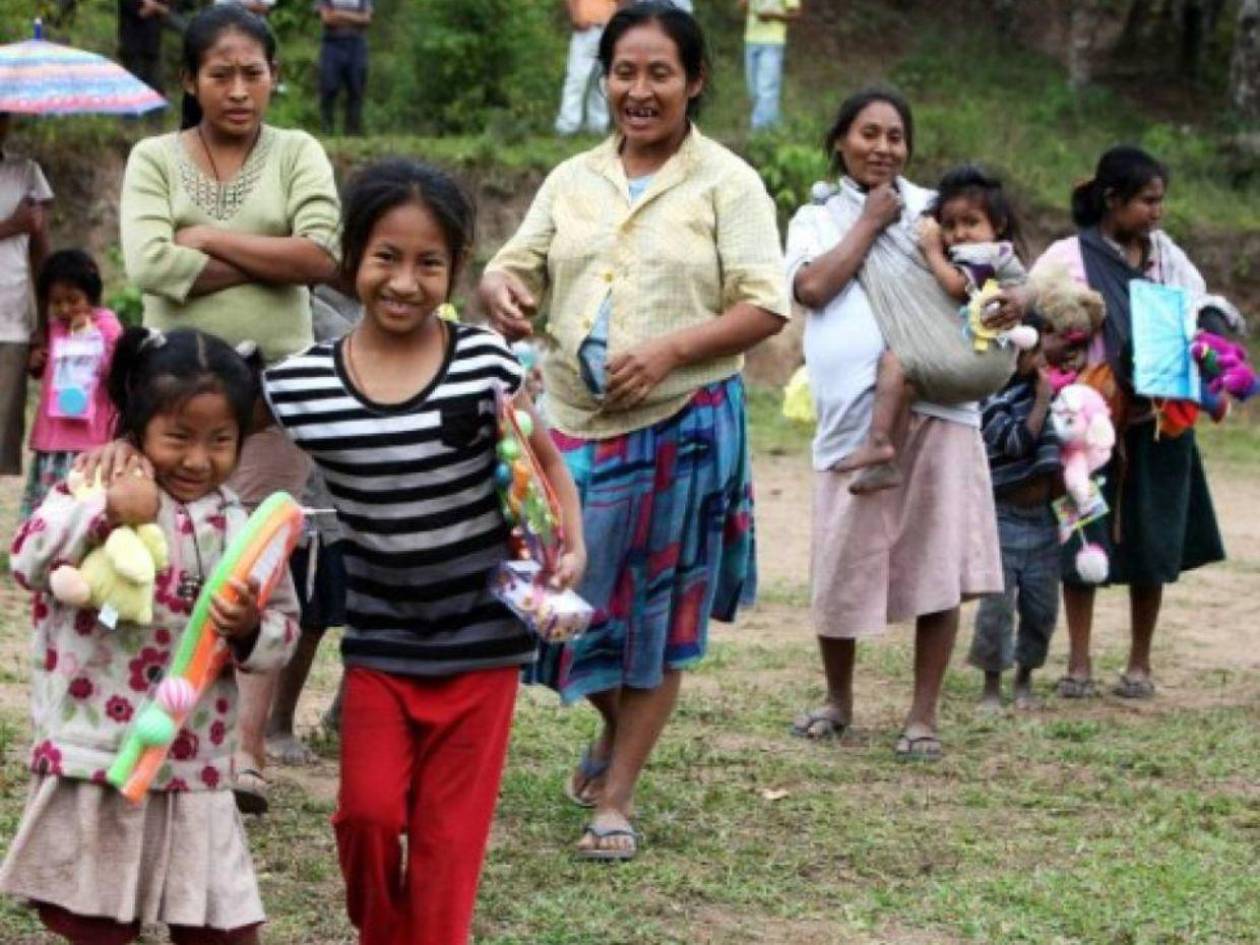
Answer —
406 270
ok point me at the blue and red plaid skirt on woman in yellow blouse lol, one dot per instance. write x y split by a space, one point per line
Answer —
668 518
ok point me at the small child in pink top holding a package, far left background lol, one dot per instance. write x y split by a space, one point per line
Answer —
75 411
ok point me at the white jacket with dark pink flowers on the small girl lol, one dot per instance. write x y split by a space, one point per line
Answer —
90 681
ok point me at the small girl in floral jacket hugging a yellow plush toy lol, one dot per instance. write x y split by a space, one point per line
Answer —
93 864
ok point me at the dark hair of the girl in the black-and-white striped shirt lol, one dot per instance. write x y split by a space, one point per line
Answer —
382 187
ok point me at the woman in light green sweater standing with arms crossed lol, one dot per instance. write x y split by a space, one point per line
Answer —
225 226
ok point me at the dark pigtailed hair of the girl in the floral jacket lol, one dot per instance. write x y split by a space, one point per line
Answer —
157 374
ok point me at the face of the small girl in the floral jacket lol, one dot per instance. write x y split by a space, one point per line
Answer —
193 448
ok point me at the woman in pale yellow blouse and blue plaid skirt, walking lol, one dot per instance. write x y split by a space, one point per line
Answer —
653 264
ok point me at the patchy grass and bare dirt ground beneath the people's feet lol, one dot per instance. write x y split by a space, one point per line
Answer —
1101 823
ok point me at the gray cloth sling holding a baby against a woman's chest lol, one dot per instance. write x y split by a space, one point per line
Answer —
918 319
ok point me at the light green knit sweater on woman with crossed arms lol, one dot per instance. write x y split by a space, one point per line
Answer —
285 188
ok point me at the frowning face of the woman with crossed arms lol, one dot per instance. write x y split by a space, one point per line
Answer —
234 85
